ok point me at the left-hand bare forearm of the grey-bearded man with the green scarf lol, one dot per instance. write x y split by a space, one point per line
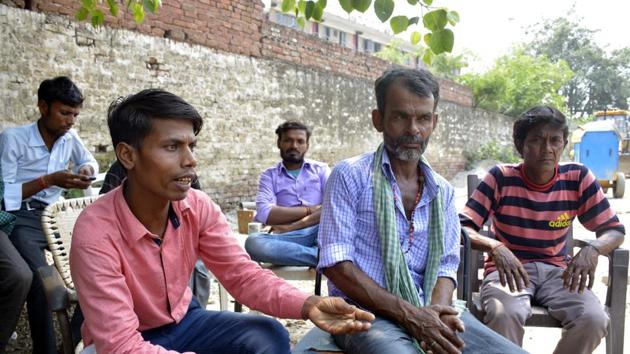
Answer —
366 292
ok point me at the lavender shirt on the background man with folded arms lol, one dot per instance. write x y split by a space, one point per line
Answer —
278 188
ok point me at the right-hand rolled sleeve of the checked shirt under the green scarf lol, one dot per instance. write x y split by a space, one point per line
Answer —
452 238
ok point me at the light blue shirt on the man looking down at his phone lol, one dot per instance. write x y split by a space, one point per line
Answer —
25 157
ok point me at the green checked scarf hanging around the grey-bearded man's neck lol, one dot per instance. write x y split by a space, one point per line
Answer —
397 276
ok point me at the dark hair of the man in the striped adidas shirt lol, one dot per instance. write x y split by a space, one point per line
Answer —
534 117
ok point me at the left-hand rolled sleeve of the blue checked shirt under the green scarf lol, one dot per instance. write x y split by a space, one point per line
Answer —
338 219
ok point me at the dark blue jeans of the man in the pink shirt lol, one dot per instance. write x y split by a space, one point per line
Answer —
202 331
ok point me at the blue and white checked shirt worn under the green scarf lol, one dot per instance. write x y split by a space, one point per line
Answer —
348 230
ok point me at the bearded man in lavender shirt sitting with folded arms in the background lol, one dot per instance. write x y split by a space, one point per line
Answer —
289 200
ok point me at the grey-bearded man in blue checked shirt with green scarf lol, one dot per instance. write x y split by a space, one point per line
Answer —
390 234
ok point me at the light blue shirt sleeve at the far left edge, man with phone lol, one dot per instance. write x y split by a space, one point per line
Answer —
9 157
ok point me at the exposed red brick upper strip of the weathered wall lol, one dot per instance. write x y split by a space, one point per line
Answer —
240 27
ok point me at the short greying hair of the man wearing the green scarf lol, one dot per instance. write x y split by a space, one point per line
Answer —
419 81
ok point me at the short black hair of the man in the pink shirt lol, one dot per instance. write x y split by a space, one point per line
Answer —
130 118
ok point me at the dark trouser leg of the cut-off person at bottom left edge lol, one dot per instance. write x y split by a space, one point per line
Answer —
15 281
